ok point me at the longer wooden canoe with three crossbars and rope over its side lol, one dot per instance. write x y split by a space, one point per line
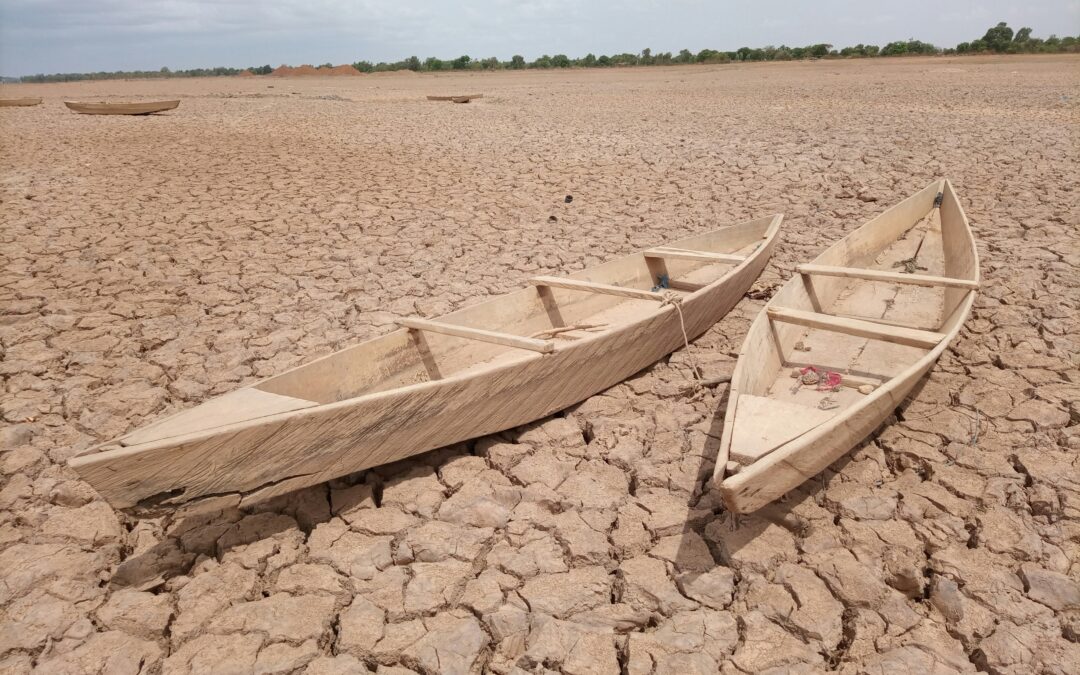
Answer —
478 371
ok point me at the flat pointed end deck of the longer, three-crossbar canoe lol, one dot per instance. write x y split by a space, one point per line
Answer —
234 408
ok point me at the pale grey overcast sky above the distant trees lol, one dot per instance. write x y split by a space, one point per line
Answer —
67 36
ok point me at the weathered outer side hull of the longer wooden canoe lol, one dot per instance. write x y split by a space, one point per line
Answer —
283 453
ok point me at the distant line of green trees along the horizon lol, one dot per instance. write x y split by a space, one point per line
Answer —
1001 39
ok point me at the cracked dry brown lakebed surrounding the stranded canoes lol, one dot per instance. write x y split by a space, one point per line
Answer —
150 264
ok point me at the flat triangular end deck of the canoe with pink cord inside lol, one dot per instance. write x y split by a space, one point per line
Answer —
763 425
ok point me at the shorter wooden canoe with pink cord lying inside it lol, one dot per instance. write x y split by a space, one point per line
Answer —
877 308
